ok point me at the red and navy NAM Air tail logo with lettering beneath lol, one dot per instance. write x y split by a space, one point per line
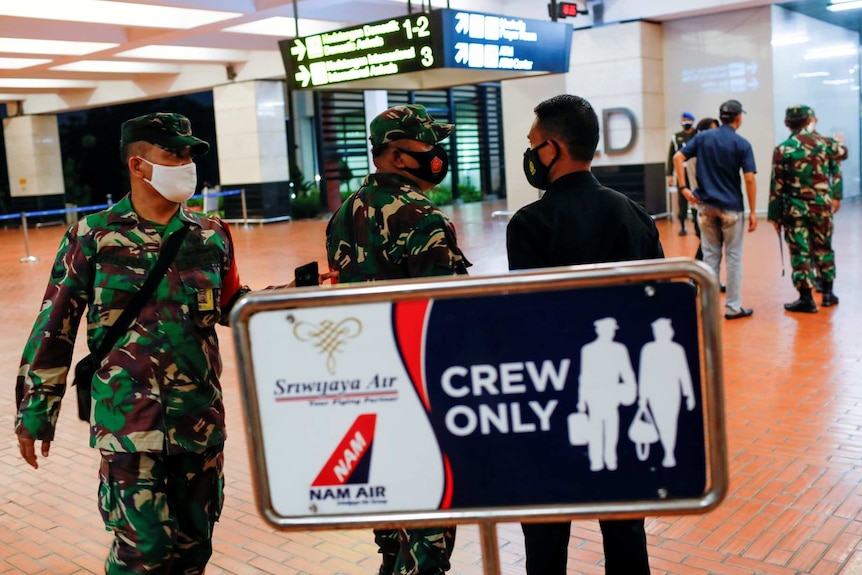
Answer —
344 477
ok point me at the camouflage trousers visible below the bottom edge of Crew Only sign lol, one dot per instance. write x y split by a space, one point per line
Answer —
415 551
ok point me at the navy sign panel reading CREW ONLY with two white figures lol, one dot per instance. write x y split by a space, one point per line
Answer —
501 404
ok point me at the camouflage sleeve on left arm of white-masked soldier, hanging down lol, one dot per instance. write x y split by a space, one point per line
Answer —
48 352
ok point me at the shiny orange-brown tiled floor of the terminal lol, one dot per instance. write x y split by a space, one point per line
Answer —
794 422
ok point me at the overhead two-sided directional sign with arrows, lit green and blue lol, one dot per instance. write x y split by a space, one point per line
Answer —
418 43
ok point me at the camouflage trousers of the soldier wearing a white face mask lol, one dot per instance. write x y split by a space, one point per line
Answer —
162 509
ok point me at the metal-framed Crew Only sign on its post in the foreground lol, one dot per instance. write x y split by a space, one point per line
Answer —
582 392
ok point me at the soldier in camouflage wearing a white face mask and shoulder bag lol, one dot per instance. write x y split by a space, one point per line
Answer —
157 415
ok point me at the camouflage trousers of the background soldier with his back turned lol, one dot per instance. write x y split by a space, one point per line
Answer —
809 239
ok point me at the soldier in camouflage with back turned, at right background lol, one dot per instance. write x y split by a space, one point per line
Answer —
805 173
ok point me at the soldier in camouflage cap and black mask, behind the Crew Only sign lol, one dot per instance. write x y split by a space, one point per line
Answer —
389 229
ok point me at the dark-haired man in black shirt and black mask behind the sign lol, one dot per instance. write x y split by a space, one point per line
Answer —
577 221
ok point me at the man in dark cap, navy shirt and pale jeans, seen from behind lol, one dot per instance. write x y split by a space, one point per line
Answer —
721 154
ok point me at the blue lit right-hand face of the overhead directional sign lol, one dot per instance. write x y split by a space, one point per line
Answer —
493 42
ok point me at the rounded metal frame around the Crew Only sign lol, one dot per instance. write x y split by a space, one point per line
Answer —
599 275
